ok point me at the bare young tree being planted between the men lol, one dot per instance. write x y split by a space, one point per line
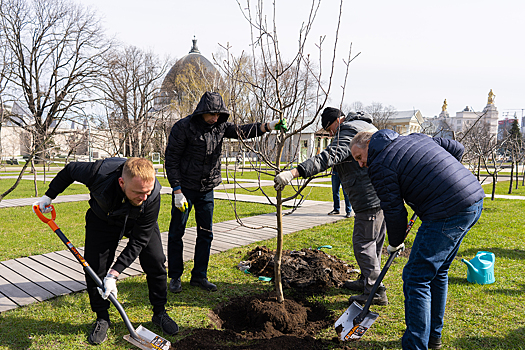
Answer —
294 90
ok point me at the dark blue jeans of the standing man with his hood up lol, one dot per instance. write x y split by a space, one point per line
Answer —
203 204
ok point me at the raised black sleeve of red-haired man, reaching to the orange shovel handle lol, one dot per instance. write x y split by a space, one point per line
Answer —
82 172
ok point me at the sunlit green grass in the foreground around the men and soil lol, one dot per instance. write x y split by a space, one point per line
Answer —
477 317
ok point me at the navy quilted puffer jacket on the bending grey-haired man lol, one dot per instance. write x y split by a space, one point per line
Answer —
425 172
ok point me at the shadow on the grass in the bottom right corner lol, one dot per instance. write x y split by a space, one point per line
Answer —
515 339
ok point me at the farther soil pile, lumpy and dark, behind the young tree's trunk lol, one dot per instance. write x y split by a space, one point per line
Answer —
307 270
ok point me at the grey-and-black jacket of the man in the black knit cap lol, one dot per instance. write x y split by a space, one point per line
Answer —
354 179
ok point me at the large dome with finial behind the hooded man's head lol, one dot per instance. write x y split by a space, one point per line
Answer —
194 58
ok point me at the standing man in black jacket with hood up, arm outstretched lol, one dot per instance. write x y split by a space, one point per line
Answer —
193 166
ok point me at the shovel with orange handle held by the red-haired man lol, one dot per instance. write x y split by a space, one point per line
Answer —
142 337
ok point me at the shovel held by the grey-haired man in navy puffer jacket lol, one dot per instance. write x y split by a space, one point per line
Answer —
356 320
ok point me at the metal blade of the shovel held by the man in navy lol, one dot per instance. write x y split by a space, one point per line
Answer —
345 327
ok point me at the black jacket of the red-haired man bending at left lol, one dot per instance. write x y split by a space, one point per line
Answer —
108 202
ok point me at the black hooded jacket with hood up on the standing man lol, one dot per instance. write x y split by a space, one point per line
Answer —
193 154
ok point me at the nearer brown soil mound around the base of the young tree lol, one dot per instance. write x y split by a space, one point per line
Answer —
260 322
